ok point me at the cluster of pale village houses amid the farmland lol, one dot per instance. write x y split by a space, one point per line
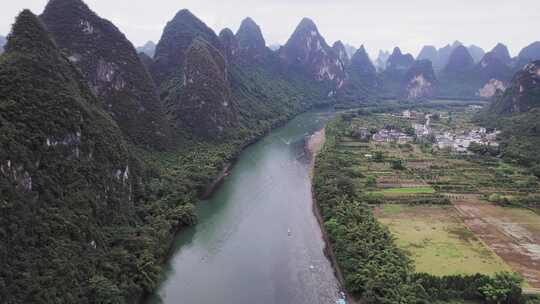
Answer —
443 140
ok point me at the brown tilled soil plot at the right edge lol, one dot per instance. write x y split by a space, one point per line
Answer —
514 234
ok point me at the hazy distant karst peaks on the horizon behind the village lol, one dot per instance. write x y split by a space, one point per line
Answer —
460 72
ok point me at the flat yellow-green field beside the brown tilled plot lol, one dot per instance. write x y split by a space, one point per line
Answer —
438 241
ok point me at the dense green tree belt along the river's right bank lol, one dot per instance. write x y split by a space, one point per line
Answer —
374 269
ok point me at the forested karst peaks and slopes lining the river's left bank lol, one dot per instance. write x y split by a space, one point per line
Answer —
98 170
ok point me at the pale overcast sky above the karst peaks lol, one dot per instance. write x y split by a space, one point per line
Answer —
379 24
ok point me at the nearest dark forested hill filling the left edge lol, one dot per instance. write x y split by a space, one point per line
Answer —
67 181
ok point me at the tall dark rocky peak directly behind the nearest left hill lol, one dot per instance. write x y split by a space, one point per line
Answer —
112 69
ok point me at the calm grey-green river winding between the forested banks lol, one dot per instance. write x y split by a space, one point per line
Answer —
257 240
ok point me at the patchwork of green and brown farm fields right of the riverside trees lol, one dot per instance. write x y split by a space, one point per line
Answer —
437 202
